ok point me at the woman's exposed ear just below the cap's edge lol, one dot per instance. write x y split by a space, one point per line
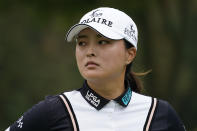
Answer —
131 53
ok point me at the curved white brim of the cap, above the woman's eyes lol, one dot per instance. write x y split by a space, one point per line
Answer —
101 29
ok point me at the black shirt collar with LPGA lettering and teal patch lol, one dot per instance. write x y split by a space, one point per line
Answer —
99 102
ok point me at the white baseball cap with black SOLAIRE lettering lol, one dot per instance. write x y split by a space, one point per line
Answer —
109 22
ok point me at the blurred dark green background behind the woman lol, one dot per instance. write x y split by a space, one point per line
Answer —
36 61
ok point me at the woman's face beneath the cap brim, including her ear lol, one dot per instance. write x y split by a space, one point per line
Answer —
100 58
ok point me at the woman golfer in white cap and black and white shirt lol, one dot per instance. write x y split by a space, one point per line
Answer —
109 99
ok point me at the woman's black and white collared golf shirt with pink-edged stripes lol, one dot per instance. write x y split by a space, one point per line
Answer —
91 112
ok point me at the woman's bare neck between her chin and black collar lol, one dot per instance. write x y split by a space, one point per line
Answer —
109 89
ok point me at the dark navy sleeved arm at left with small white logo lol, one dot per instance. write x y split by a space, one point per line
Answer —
49 114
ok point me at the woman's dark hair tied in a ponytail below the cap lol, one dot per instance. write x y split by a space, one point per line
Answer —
132 77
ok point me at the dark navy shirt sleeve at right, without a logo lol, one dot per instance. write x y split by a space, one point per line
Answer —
166 119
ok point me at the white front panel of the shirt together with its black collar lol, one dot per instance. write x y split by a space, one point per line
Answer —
130 110
